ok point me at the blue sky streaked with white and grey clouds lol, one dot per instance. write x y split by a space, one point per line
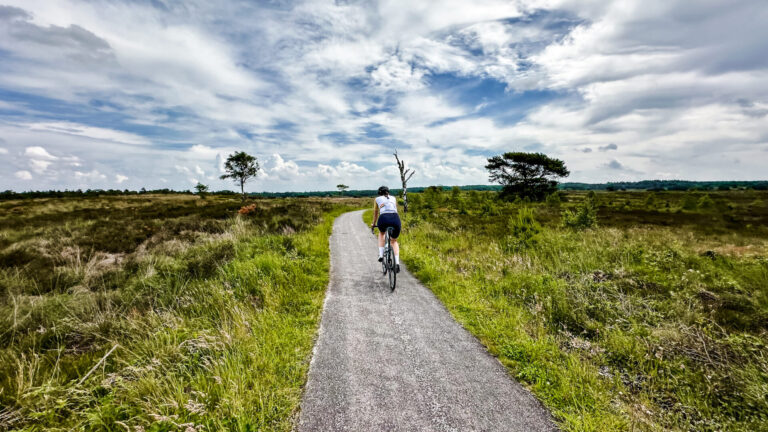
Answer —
119 94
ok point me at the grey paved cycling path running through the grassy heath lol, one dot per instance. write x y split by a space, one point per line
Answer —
398 361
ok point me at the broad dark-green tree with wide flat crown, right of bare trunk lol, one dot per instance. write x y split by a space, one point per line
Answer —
526 175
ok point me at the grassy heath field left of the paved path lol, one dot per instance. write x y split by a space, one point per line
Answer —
159 312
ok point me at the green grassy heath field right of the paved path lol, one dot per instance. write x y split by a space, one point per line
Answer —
655 319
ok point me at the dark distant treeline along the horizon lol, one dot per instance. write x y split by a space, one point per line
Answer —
652 185
